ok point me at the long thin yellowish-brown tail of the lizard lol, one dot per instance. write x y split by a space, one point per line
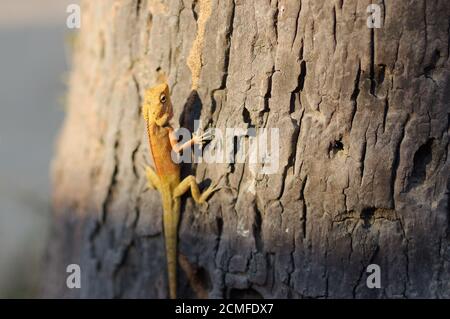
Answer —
170 218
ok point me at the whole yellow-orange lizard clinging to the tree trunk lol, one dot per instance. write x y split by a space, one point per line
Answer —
157 112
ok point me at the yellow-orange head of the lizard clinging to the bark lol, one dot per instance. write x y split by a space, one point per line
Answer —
157 107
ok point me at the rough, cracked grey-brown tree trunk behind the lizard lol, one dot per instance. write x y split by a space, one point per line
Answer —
363 178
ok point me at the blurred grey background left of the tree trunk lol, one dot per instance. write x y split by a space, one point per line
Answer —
34 55
